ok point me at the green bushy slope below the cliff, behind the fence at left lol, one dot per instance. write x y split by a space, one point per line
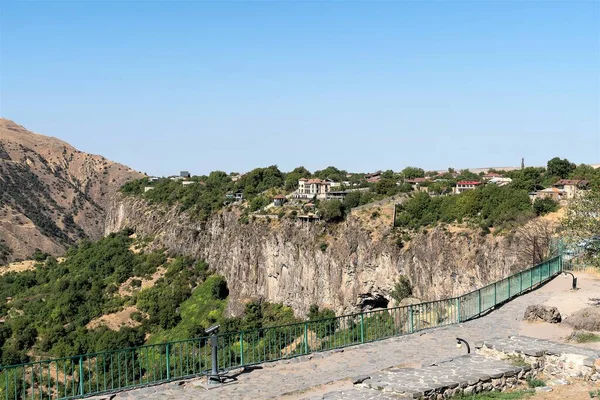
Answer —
48 308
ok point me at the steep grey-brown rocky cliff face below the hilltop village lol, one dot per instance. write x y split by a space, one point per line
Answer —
287 262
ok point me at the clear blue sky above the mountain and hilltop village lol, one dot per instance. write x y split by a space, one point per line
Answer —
164 86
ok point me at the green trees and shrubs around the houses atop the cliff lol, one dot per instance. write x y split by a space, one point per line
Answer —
207 194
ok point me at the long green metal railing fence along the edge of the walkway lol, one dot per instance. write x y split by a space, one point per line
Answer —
92 374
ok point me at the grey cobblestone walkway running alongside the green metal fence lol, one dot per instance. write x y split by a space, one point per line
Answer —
299 378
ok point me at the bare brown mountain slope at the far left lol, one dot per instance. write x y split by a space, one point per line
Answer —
51 194
